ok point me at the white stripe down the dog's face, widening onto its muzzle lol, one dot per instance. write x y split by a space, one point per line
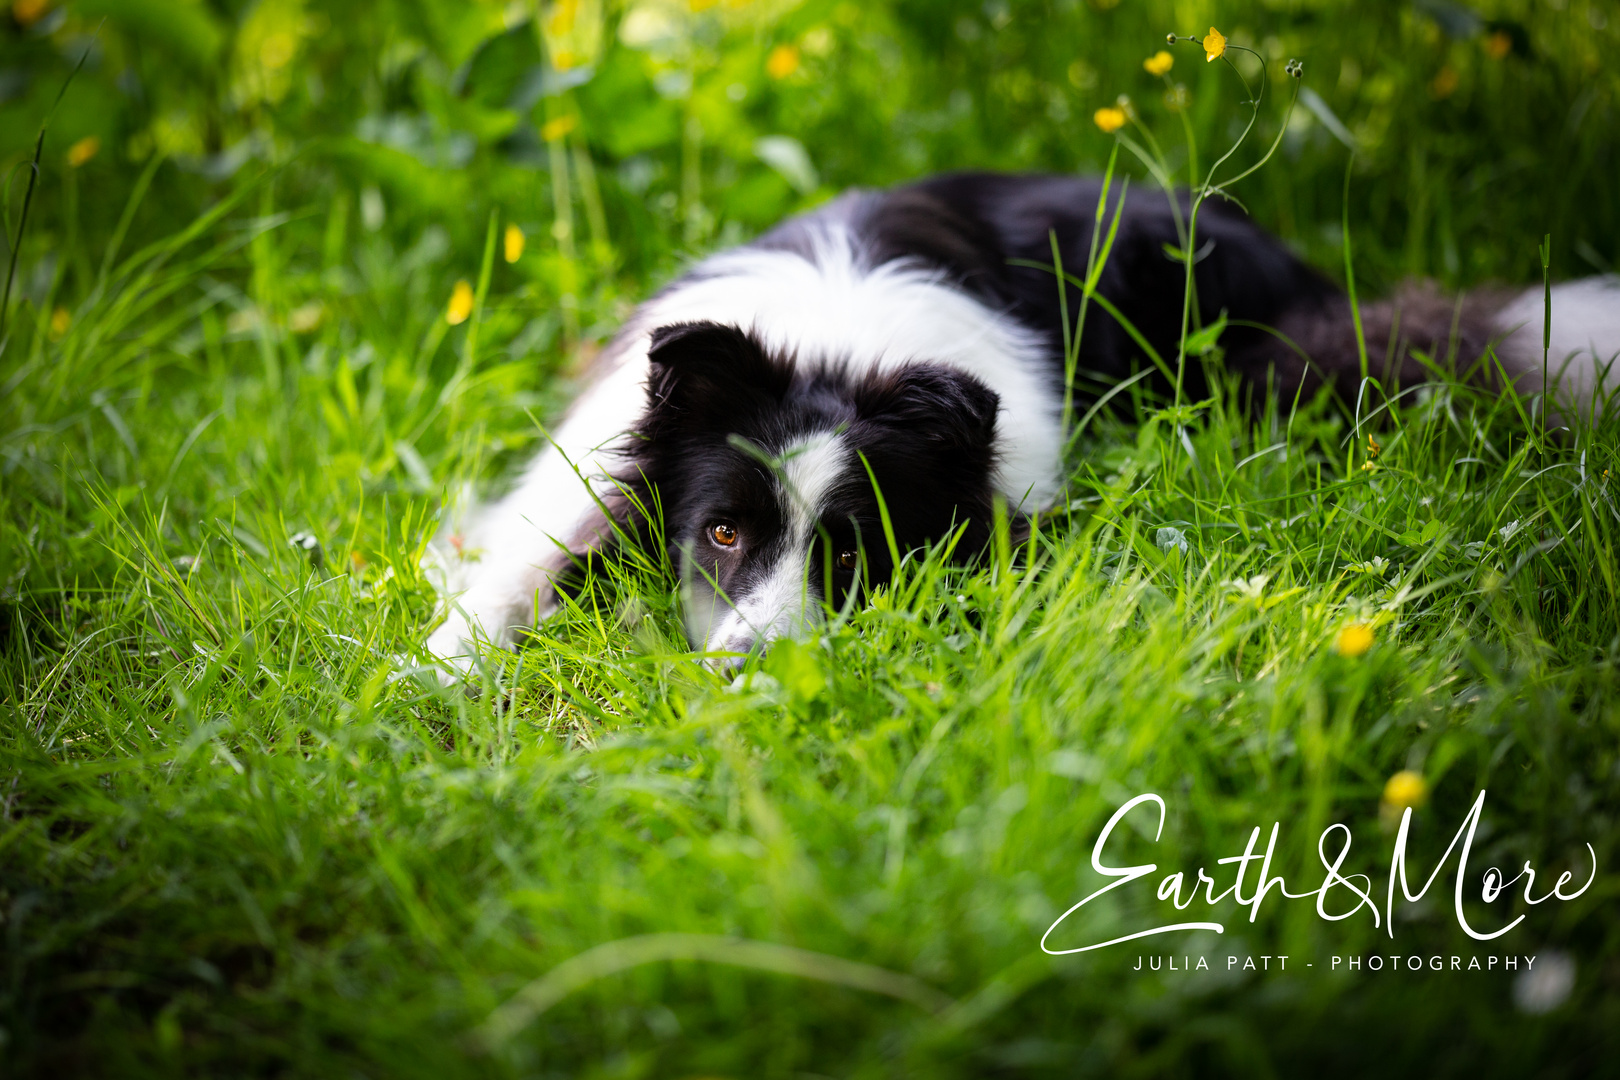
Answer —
783 603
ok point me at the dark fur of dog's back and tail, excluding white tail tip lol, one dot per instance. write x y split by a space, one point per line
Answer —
981 227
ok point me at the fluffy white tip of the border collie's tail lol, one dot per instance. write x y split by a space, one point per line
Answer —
1585 338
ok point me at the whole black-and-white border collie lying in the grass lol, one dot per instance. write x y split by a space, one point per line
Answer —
898 344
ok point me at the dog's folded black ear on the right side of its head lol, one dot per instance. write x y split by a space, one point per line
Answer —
945 407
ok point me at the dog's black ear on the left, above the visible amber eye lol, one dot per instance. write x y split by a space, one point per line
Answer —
706 373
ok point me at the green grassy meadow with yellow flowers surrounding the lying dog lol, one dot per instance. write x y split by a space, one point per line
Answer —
291 278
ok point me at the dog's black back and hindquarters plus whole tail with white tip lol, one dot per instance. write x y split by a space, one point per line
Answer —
1287 323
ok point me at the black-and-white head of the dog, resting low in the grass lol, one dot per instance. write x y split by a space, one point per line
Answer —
764 467
